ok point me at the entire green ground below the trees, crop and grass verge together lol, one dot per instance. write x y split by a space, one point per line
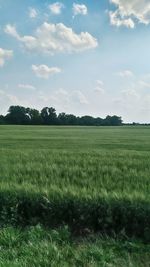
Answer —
93 180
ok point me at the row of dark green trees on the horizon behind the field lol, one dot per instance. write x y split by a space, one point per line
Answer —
48 116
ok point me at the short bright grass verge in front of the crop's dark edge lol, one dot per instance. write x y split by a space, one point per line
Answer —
36 246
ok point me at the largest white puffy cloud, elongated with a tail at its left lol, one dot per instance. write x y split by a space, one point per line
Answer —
54 38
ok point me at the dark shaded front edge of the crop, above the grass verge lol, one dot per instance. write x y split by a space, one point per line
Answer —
81 215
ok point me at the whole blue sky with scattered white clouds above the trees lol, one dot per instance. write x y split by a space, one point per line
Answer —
81 57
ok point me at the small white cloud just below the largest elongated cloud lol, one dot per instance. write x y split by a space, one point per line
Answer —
43 71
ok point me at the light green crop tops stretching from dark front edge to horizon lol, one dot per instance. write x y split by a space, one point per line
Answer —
80 160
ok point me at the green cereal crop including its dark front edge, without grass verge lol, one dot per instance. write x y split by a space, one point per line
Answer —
87 177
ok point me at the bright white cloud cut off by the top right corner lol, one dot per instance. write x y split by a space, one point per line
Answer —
129 12
